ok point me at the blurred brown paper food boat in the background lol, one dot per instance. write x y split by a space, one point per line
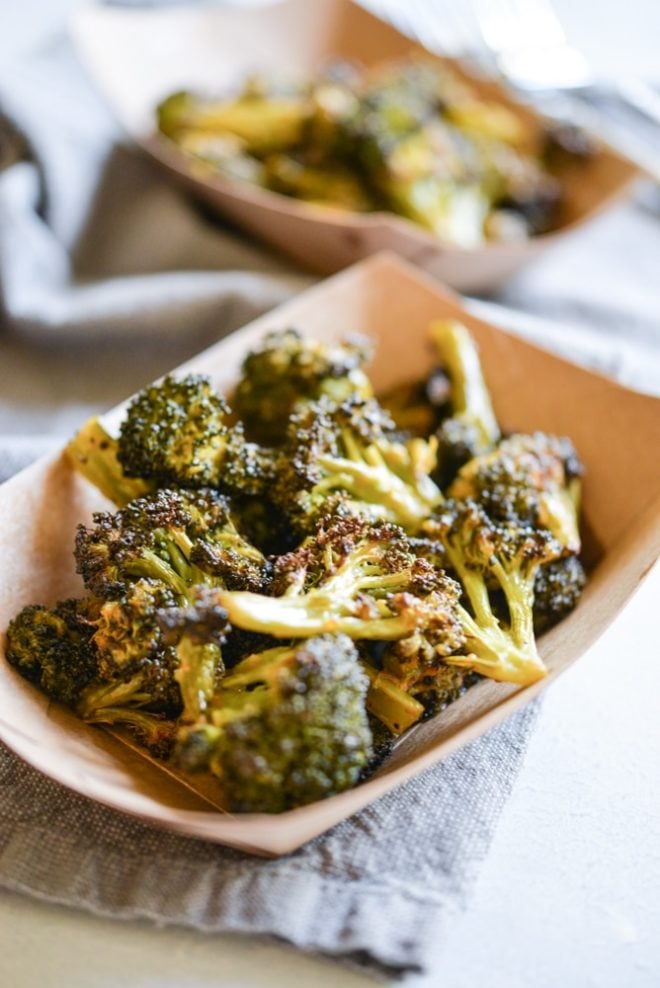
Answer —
138 57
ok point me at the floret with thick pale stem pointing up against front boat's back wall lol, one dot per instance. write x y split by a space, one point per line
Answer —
472 428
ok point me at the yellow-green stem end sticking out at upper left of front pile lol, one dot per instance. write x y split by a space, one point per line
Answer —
93 452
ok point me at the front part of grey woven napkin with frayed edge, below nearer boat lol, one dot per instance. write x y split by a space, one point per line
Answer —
377 891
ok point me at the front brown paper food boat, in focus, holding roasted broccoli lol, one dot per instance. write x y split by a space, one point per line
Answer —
617 432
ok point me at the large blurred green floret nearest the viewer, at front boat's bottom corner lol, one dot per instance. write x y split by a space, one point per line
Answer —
287 727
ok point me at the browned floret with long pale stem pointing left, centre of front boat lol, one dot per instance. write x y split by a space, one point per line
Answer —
355 577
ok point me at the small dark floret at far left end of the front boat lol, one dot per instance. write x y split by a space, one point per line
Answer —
52 647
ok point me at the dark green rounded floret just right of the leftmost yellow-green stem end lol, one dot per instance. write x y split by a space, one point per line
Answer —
179 432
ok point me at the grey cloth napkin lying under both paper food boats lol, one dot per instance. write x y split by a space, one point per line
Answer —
108 277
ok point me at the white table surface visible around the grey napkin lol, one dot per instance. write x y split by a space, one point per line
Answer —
570 893
